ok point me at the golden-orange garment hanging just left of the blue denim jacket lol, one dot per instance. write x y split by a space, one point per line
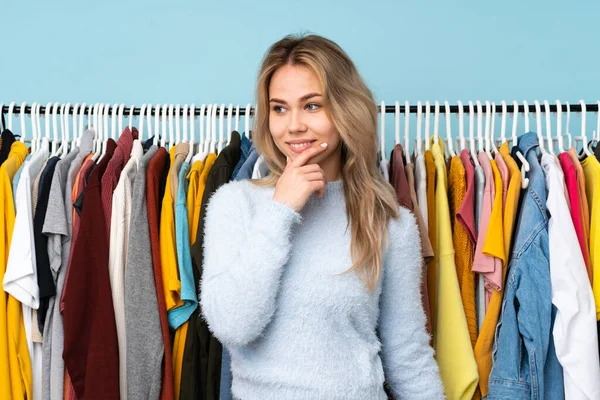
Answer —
485 341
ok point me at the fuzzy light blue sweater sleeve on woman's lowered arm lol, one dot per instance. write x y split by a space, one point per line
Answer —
408 362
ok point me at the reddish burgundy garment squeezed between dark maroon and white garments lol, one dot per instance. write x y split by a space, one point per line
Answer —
110 179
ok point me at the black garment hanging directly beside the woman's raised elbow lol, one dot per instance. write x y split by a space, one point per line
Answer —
201 369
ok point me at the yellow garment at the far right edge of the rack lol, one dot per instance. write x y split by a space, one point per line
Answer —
591 170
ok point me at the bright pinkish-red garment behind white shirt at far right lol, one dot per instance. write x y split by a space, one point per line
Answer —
576 213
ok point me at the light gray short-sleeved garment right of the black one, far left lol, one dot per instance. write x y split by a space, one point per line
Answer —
58 226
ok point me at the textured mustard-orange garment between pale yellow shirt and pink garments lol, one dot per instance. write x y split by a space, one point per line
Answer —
463 256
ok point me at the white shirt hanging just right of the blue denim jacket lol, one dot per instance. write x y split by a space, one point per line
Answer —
575 335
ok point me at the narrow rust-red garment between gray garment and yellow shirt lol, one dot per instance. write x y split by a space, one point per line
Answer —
153 183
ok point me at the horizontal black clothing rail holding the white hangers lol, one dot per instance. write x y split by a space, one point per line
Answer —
413 109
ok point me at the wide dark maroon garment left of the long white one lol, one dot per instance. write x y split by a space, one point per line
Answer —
91 352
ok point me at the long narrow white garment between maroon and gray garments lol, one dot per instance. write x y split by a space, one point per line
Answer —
119 235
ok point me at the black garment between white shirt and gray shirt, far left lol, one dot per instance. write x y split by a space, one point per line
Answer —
45 279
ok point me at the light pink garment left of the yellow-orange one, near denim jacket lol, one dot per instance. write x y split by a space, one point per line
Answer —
483 263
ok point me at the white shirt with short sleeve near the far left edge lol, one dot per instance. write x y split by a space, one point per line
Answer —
20 278
